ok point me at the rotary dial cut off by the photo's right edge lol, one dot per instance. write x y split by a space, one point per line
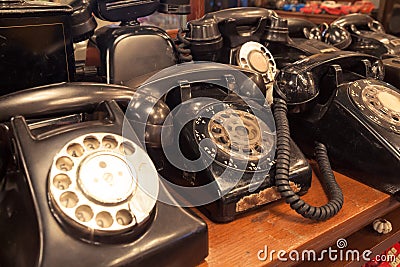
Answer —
379 103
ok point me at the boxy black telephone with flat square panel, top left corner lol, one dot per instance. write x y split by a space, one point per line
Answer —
36 43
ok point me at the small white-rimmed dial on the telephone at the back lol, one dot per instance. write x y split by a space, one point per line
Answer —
255 56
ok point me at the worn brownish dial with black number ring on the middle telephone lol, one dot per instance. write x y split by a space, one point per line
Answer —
238 135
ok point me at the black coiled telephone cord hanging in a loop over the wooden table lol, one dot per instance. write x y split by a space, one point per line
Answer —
328 181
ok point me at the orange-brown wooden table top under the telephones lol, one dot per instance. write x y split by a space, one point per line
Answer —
237 243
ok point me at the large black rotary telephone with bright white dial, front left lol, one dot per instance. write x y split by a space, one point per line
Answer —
78 193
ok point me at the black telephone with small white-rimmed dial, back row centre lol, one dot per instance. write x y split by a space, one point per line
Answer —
233 36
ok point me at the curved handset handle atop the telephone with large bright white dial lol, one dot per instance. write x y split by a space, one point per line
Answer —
60 99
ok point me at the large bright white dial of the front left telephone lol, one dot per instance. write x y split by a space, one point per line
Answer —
96 183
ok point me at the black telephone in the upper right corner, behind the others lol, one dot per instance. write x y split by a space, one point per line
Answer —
368 36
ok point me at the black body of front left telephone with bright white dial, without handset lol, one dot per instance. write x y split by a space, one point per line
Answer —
36 233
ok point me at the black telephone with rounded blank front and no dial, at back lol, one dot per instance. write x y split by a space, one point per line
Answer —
130 50
